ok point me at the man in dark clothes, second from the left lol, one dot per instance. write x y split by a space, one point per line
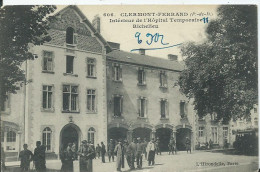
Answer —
39 157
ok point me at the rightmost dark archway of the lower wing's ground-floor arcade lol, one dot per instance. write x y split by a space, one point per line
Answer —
181 135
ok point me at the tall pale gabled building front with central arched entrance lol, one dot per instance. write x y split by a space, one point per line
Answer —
64 99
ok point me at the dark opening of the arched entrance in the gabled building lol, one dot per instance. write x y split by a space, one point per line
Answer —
69 135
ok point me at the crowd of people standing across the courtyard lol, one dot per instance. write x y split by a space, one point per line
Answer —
133 152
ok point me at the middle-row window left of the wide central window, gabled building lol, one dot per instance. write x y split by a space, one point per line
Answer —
47 97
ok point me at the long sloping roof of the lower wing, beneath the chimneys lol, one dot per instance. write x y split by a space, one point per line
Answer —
144 60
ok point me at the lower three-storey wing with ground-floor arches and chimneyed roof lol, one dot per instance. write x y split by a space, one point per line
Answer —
144 99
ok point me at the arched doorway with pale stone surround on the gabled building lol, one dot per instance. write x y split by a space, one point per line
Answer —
70 134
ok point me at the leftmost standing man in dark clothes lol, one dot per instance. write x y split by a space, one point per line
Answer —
25 157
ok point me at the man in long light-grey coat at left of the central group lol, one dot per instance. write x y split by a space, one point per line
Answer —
119 151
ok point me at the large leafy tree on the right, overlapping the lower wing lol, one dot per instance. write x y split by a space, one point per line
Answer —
221 72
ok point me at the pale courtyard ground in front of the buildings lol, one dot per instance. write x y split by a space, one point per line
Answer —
197 161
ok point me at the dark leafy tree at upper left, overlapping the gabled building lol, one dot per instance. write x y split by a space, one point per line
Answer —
20 26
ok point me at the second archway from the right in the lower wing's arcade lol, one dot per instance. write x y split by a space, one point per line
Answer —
164 135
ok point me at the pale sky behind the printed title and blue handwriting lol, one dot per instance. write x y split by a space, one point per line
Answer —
172 32
